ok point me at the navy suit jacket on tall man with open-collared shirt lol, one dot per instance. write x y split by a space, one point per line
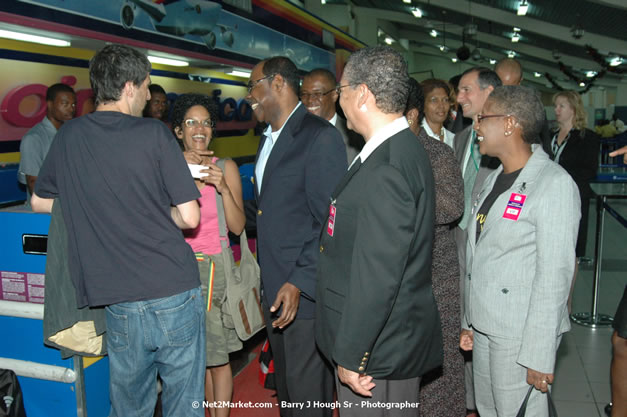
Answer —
306 163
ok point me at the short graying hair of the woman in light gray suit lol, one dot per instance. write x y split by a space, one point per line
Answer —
524 104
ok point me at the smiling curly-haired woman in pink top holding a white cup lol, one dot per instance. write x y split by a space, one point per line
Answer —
193 121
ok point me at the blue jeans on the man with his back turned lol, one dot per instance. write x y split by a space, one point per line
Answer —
164 336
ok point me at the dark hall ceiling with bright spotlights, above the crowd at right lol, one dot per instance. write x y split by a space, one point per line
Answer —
582 35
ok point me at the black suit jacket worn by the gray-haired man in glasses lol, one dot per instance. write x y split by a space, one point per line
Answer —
375 309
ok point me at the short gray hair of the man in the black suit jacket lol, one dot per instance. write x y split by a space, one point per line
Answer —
384 71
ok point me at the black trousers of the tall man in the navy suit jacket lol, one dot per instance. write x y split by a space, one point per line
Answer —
302 375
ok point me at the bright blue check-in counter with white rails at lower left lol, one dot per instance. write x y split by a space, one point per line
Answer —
51 386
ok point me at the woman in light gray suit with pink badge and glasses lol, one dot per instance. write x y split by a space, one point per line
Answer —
520 258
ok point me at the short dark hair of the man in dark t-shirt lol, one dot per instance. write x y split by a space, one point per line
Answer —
112 67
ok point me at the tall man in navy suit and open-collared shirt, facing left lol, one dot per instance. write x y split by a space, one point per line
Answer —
300 160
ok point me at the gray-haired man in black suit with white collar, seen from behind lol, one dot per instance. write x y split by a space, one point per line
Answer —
376 317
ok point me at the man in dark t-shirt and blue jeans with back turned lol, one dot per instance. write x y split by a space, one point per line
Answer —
126 193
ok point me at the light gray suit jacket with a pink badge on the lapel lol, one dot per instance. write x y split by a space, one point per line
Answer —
520 271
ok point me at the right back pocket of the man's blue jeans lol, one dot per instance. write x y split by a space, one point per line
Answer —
180 324
